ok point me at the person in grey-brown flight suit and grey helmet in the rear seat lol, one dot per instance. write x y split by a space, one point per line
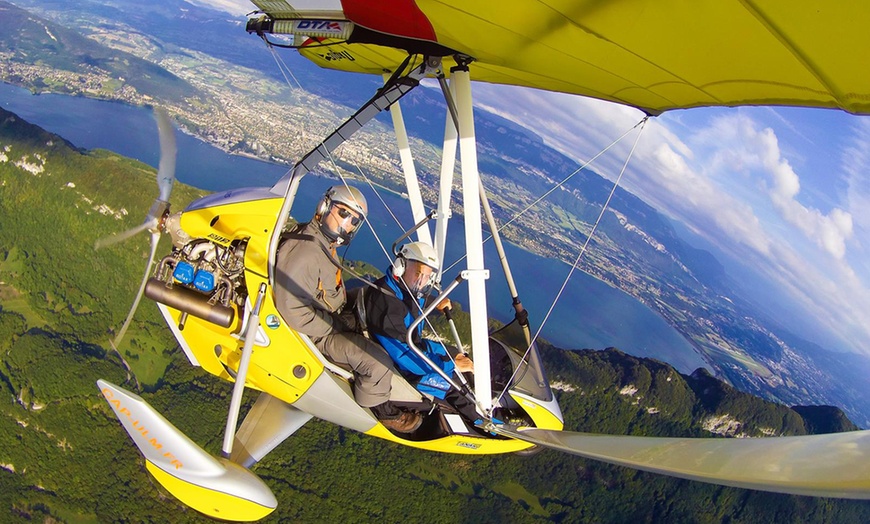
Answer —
310 295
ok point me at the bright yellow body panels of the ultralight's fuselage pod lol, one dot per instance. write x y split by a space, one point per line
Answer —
282 363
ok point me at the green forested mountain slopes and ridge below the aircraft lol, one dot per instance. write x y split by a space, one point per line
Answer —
65 457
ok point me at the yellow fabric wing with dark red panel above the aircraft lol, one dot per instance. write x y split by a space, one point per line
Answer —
655 55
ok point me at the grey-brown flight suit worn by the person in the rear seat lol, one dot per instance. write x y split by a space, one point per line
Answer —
309 298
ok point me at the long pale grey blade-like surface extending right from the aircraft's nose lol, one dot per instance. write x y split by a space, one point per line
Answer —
831 465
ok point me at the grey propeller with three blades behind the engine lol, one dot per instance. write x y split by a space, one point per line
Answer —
159 209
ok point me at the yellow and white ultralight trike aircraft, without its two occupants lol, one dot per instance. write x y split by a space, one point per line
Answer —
215 289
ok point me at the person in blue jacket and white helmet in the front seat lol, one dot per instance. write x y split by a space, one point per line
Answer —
390 313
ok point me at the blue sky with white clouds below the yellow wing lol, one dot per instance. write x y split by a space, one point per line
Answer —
782 192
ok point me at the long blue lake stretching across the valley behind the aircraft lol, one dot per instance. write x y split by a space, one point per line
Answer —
590 313
